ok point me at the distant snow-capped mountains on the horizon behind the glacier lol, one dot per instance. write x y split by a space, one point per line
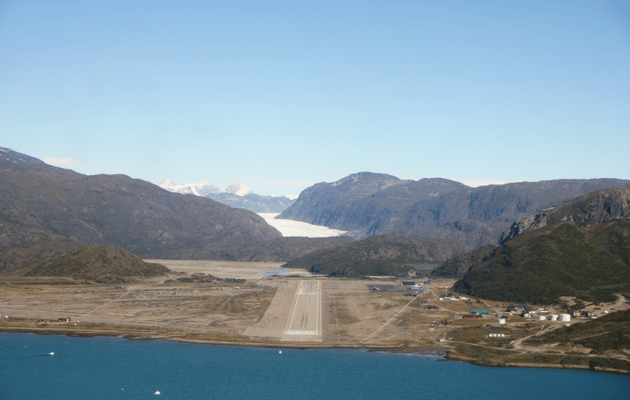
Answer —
235 195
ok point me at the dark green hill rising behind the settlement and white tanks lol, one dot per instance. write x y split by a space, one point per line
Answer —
560 259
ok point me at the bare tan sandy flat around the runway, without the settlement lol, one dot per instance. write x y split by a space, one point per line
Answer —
250 306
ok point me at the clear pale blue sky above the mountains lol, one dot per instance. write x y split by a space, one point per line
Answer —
281 94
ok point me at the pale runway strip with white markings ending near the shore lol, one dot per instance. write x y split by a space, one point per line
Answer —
305 318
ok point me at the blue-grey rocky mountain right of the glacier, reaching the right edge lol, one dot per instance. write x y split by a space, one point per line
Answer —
368 204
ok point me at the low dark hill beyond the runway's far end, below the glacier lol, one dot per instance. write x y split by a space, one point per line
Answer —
379 255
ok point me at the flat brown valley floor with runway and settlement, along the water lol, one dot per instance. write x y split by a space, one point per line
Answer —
250 307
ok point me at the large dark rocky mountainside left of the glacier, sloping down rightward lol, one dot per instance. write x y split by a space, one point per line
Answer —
120 211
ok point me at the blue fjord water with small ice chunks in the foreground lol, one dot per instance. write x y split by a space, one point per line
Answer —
115 368
